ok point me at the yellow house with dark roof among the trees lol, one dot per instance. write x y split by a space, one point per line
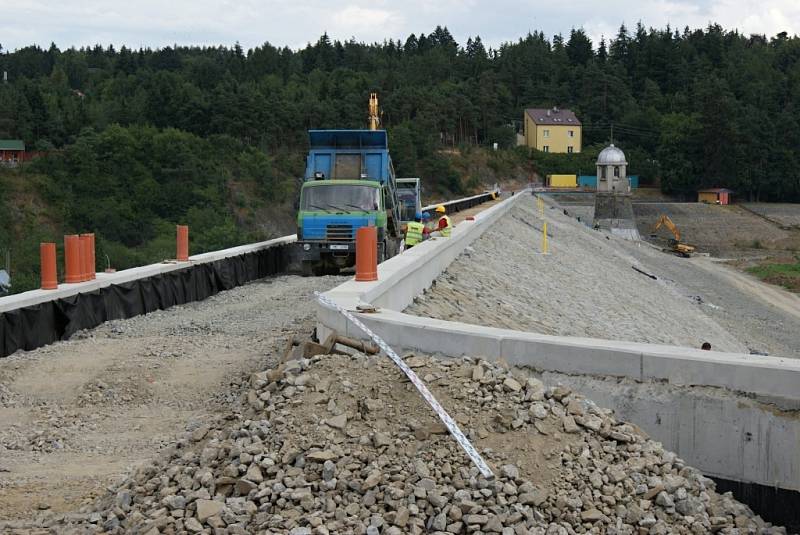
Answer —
552 130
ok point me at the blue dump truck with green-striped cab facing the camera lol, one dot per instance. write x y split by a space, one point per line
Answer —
349 183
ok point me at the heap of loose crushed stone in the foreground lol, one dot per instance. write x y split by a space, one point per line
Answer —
345 444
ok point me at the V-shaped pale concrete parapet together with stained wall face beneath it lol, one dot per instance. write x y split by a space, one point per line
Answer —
699 403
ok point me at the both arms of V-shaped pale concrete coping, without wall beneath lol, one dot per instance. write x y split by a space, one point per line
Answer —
404 277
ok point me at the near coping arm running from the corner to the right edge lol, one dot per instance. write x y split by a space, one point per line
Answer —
771 378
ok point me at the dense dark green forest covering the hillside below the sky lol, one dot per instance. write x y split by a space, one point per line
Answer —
137 139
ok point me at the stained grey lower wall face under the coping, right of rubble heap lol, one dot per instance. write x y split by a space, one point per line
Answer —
726 434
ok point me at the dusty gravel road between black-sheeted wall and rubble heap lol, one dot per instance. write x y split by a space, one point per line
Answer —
79 414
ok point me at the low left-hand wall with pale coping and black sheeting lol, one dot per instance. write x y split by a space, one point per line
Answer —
57 315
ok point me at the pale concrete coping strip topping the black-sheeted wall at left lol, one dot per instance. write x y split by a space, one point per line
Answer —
35 297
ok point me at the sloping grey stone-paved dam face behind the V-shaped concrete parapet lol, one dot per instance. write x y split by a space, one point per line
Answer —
585 287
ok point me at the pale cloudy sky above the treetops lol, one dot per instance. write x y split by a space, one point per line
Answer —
294 23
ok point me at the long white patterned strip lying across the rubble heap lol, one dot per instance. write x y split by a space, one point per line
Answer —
451 425
